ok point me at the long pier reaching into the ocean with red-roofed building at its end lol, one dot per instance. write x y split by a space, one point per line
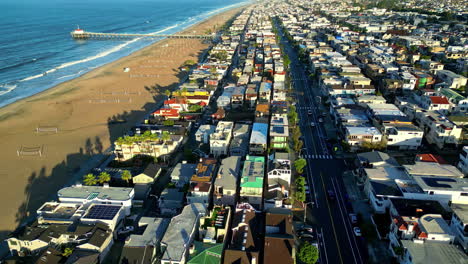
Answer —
81 34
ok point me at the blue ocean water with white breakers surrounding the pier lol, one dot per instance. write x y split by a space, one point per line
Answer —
37 52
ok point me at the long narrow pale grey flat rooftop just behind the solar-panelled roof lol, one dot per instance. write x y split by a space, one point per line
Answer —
96 192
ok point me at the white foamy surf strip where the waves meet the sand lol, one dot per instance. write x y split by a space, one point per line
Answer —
210 15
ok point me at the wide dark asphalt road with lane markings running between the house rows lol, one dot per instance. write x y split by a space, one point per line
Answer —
330 218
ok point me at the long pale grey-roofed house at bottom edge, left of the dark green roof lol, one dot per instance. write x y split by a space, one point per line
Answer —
180 233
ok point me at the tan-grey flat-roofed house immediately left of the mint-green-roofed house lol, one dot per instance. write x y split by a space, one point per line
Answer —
225 184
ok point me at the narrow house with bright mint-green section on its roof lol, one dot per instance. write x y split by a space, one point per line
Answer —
251 185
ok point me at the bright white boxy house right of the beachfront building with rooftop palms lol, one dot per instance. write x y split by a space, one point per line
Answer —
221 138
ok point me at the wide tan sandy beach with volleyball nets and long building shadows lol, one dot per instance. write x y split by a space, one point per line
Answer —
80 110
